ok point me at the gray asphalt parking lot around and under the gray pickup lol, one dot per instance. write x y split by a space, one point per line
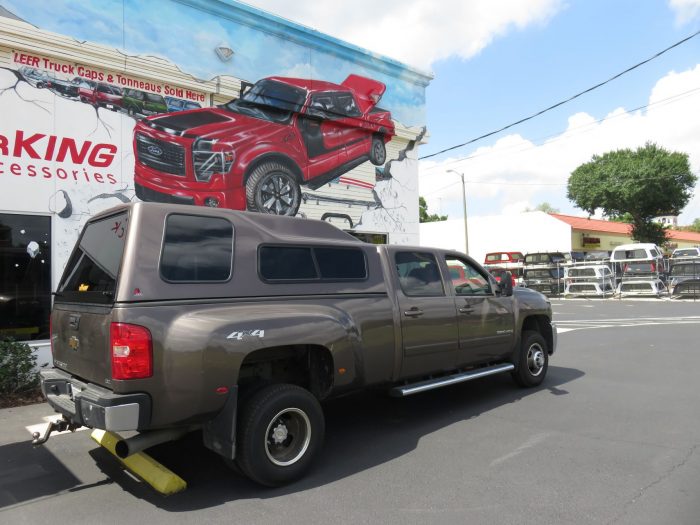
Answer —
611 437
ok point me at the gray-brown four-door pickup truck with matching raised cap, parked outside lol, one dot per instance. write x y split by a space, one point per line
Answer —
170 319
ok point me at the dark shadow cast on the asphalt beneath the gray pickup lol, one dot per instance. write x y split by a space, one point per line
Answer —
362 431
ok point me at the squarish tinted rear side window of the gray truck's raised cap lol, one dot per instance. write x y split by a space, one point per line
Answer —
196 249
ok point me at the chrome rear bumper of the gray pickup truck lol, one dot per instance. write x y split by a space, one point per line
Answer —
92 405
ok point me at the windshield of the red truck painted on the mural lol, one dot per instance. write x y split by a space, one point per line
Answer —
270 100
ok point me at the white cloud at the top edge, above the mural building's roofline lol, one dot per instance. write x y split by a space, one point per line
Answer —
416 32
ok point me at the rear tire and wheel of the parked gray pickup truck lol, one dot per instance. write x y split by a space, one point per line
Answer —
280 432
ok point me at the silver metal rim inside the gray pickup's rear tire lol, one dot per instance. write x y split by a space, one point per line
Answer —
287 437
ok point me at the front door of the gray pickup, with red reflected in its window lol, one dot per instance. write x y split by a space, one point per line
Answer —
486 321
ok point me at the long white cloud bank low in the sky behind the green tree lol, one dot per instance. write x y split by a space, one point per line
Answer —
513 173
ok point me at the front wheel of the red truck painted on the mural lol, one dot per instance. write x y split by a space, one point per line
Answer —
273 188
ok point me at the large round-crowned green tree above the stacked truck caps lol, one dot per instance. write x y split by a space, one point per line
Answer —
645 183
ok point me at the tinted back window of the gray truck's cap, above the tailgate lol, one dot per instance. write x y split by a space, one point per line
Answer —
91 273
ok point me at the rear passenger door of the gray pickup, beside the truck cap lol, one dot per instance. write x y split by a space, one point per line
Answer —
428 316
